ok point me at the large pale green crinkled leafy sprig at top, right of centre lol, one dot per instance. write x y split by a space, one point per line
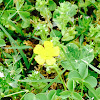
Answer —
63 14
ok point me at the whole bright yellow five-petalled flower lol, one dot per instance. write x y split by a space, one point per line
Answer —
47 53
